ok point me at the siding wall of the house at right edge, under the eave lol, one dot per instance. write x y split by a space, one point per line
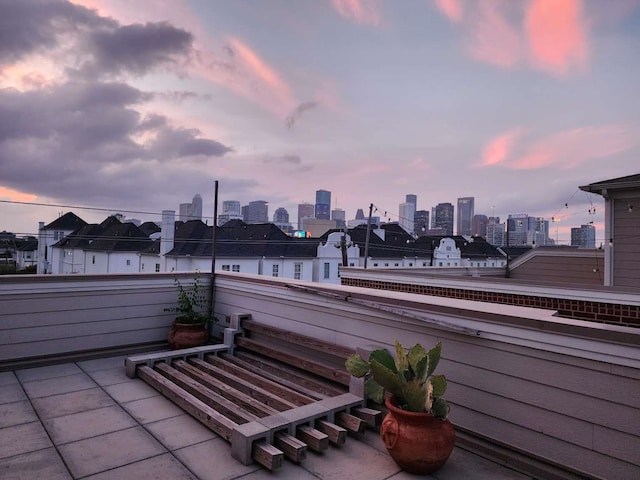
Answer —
626 237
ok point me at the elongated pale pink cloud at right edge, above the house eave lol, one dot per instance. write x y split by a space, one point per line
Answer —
570 148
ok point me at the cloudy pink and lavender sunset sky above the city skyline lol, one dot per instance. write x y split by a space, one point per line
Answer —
134 106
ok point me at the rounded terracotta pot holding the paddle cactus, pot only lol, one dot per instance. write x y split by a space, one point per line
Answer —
418 442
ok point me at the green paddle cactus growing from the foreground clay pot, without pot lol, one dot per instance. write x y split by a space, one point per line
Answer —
409 378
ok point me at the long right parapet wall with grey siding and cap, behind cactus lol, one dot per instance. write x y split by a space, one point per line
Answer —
557 396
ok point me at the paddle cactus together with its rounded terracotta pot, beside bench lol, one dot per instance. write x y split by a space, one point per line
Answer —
416 431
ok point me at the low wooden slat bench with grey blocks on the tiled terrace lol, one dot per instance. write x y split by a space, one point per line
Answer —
269 392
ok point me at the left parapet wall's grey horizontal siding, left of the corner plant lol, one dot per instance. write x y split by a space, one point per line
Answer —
62 315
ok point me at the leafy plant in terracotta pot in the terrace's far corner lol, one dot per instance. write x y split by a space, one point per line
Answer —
190 326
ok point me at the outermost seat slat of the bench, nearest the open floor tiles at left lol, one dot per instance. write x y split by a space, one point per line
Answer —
197 409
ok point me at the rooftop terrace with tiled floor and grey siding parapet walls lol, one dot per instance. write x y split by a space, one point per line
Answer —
532 395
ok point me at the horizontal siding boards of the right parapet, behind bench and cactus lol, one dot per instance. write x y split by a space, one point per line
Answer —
568 410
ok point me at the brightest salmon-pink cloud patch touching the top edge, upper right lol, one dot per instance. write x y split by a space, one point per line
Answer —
556 34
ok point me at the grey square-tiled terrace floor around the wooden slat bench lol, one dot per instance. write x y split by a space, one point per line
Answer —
87 420
